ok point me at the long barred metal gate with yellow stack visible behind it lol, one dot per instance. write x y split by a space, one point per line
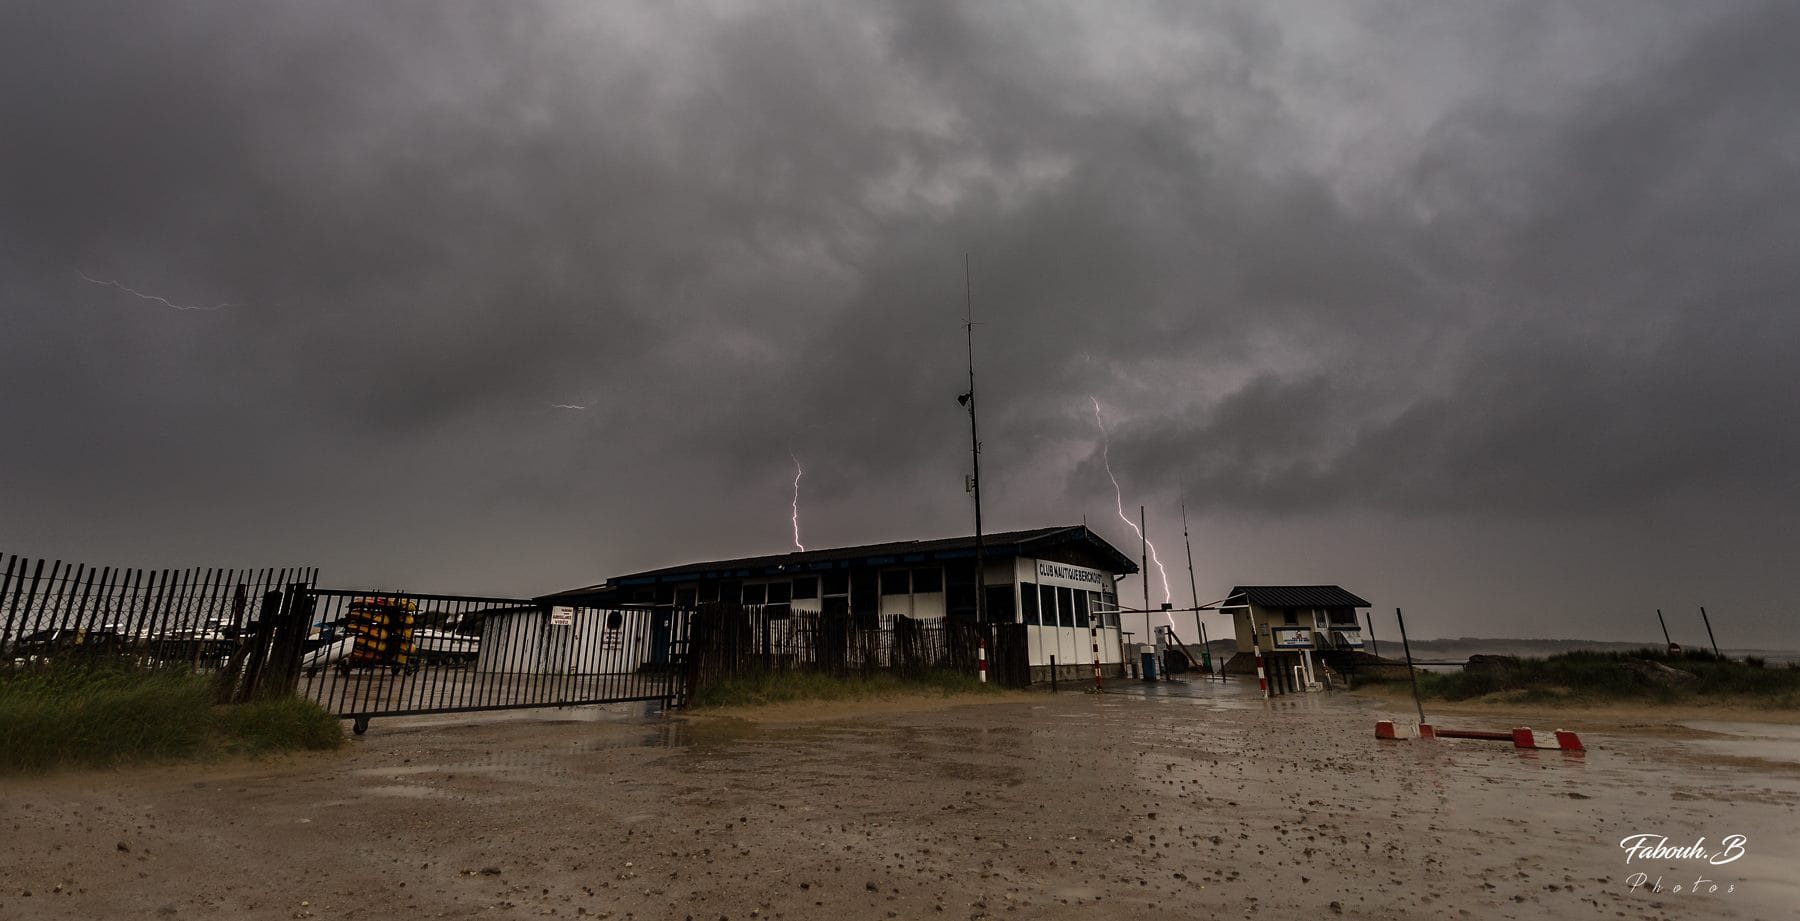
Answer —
390 654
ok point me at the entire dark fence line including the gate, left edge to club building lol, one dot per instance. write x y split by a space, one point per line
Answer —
384 654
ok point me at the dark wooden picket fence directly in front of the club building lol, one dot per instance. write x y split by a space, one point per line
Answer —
732 639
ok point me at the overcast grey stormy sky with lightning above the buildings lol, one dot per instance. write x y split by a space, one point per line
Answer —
1480 310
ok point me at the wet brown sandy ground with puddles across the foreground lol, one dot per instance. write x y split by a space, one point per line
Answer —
1180 801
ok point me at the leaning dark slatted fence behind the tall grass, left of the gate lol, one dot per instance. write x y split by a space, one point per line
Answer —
201 620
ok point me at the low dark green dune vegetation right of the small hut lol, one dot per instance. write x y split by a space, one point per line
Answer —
1646 675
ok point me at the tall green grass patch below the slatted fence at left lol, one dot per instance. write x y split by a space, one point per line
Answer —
105 717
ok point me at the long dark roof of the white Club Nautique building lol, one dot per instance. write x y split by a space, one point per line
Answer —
1070 544
